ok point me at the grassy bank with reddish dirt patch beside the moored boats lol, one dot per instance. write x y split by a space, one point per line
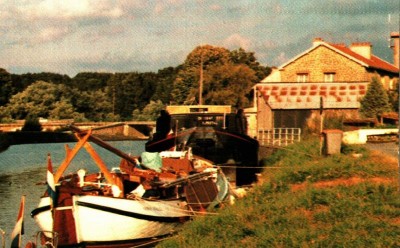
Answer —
309 201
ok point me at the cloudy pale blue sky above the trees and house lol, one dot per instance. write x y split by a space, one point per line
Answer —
72 36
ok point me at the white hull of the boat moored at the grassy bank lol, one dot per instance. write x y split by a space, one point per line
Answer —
105 219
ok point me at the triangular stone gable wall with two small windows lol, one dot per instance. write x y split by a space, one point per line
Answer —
323 60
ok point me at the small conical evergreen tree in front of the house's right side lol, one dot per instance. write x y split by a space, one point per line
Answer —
375 101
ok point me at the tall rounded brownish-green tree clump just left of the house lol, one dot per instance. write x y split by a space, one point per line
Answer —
228 77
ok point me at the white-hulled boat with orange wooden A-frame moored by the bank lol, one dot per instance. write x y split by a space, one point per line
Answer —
129 204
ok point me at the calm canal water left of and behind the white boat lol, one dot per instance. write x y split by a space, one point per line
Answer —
23 167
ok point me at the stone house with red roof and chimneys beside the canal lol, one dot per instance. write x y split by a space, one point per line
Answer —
328 79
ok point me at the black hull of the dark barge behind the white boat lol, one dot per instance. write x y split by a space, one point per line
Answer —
219 146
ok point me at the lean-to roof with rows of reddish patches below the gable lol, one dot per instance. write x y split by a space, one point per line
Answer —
309 95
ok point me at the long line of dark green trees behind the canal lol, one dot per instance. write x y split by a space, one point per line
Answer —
227 78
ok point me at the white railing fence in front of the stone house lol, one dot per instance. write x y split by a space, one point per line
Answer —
279 136
